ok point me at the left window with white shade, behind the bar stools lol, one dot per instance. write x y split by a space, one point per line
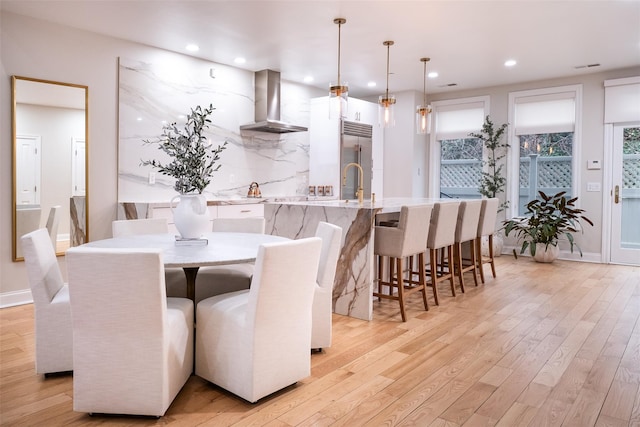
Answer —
456 158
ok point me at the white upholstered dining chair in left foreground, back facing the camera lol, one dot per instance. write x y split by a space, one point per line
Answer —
133 346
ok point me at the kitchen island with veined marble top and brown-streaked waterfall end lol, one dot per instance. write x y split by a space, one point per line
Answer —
353 285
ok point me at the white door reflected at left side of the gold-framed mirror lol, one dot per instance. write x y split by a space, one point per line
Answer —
28 160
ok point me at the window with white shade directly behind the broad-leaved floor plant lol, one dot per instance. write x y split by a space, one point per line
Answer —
544 143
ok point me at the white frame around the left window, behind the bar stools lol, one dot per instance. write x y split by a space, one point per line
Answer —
434 144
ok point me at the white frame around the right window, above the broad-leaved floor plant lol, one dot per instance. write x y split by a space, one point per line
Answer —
513 163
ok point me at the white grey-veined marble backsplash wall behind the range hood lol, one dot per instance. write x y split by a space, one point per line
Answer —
151 95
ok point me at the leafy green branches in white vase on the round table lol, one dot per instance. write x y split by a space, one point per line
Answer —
193 162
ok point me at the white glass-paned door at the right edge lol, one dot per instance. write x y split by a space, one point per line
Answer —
625 210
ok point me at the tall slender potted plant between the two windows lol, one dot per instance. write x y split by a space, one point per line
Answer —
492 181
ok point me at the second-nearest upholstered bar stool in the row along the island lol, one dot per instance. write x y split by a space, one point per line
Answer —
442 233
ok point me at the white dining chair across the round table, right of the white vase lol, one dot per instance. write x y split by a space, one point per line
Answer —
220 279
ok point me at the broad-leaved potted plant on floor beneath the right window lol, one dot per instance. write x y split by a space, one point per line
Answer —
546 220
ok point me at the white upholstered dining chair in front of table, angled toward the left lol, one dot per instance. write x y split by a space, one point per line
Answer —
255 342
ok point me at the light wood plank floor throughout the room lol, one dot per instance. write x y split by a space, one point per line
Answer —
548 345
